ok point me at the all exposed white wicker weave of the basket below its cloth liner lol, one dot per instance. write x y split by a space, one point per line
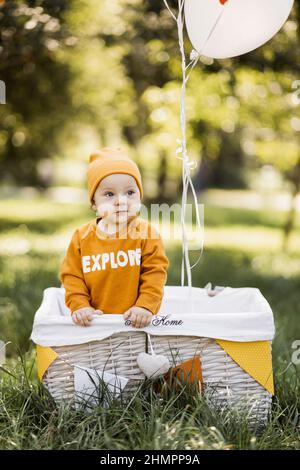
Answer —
226 385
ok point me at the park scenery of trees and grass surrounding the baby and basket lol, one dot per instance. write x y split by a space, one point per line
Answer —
82 74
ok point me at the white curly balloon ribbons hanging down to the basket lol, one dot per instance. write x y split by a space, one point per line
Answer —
186 163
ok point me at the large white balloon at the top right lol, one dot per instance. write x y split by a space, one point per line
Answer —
227 28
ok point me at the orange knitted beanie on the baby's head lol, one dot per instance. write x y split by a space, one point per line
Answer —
108 161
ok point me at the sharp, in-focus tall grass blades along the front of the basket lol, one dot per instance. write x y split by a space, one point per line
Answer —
29 419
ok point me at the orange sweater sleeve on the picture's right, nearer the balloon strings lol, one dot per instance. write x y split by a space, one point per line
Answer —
154 265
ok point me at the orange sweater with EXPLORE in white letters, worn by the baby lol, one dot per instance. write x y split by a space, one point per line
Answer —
114 273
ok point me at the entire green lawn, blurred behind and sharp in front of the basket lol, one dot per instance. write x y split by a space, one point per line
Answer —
243 248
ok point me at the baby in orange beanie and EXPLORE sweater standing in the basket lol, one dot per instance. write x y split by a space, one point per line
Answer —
115 263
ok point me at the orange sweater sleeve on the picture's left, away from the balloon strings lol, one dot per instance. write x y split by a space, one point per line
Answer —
71 276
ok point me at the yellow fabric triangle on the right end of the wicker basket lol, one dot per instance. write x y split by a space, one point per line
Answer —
254 357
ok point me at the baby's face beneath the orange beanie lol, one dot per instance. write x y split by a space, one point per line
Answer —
117 198
